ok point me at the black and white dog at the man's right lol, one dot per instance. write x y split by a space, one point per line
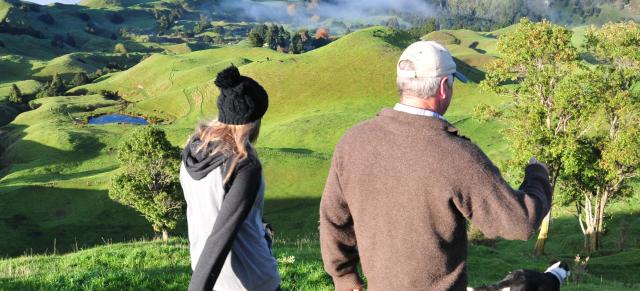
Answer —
527 280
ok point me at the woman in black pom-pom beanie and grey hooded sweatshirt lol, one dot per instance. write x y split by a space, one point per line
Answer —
221 177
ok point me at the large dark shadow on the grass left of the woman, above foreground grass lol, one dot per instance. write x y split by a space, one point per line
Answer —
44 220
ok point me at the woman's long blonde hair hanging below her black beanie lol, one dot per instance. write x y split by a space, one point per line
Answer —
233 140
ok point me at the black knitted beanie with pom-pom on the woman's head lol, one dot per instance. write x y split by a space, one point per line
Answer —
242 100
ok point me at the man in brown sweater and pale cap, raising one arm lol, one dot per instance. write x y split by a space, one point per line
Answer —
403 184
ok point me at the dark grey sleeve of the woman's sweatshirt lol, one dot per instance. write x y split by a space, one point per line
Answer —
235 208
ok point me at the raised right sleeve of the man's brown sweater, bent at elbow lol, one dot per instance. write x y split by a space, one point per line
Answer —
494 207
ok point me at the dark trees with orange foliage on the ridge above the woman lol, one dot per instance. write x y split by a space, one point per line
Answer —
279 39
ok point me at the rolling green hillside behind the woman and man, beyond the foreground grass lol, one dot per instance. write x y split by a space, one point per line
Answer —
51 152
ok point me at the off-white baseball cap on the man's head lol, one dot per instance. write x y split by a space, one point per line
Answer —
430 60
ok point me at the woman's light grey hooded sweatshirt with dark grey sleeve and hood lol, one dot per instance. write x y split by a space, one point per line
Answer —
228 247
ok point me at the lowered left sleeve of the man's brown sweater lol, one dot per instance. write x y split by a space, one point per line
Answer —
337 236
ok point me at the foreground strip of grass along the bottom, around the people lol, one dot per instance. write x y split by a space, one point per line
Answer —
153 265
